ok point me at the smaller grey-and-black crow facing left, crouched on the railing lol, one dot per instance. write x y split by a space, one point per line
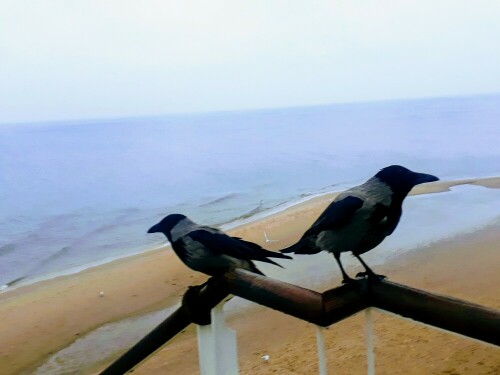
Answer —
209 250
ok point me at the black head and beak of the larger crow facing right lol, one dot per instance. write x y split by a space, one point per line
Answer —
402 180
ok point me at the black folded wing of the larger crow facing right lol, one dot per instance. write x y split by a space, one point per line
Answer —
336 215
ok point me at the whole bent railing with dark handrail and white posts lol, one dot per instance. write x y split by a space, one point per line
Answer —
202 306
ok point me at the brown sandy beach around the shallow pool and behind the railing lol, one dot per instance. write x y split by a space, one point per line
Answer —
42 318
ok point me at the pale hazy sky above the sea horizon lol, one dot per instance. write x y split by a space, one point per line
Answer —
117 58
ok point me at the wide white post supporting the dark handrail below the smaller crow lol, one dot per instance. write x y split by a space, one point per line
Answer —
217 347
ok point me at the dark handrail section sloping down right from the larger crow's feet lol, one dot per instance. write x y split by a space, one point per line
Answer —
447 313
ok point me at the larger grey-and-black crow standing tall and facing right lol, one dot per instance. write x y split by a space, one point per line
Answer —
360 218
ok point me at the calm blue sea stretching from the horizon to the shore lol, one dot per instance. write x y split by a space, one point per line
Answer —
75 193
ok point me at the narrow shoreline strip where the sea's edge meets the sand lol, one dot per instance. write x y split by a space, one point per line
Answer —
439 187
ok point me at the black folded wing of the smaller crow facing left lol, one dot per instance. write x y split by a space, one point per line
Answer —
220 243
